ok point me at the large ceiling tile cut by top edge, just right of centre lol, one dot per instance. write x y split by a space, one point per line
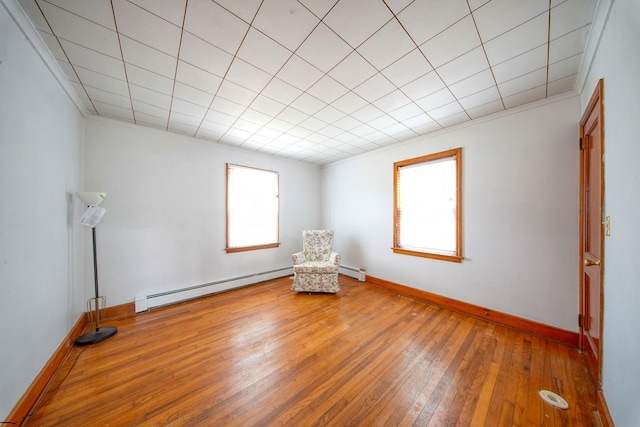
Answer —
356 20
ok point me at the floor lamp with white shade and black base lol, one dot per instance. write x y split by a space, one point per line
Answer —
90 218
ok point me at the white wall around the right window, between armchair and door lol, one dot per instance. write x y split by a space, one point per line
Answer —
520 213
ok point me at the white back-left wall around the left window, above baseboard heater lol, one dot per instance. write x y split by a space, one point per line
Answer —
165 223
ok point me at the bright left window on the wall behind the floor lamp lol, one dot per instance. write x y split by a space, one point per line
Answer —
252 208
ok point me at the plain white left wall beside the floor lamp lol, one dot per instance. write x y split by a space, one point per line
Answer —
40 242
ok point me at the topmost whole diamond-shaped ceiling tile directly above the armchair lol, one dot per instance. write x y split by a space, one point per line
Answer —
323 48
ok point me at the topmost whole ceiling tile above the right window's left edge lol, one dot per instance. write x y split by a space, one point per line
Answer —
386 46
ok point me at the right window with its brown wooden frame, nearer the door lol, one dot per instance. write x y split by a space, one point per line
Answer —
427 206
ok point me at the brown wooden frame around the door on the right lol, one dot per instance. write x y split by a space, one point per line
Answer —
596 101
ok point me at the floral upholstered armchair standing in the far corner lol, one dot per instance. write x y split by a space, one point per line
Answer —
315 269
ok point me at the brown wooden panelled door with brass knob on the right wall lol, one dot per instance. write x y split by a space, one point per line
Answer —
592 231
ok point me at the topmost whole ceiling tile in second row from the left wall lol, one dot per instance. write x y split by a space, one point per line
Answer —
81 31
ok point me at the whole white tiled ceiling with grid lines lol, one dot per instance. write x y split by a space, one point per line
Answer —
313 80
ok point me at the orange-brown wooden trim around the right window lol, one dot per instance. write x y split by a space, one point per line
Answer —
457 257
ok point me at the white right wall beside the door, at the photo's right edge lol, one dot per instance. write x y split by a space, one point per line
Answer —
617 60
